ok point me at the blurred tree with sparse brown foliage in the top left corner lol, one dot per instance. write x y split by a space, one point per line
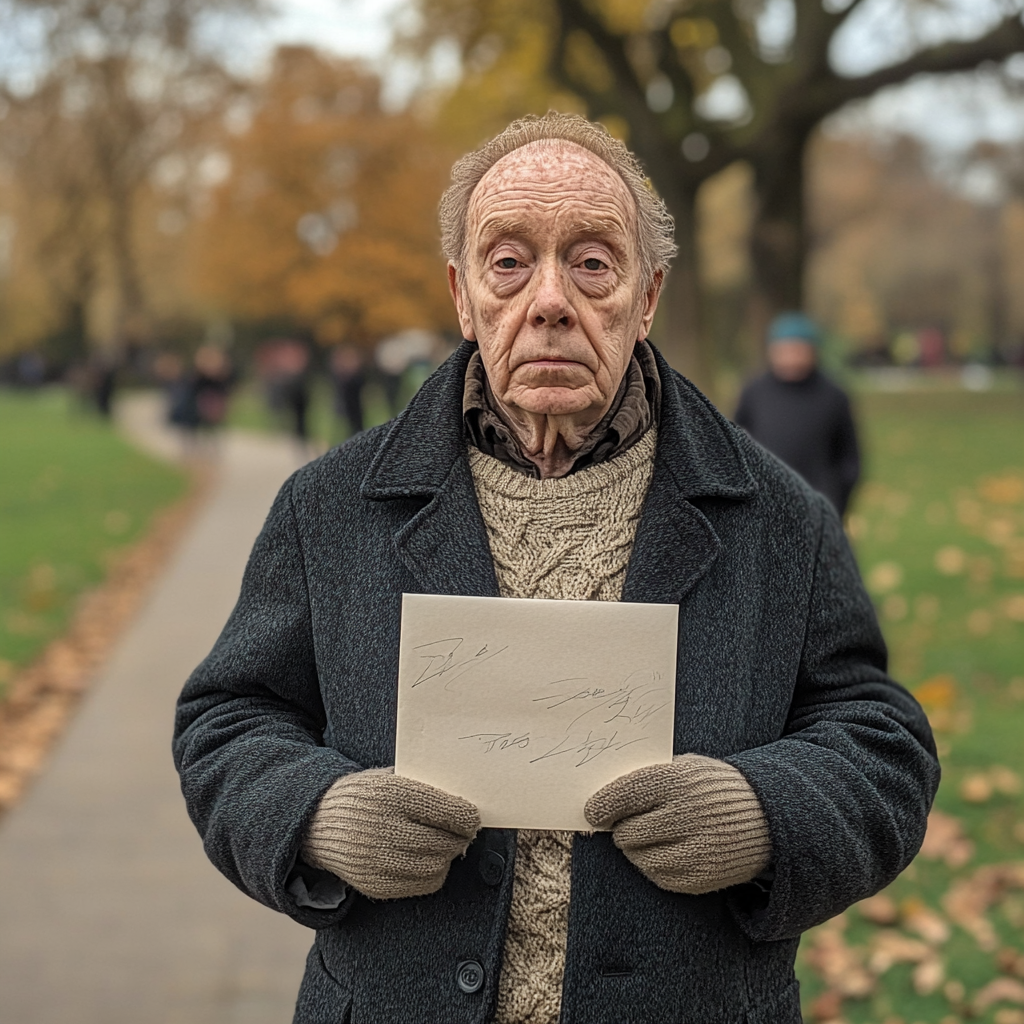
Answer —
122 84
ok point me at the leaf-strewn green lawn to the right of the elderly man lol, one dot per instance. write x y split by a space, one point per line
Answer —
940 532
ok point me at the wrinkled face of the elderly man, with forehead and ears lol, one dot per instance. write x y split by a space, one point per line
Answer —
551 289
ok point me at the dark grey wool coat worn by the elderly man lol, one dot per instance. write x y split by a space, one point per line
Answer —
782 673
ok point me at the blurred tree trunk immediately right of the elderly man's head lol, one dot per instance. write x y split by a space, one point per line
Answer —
678 330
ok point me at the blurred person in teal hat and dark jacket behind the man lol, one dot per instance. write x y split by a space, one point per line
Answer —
802 417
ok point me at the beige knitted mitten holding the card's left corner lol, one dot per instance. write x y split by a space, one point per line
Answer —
388 836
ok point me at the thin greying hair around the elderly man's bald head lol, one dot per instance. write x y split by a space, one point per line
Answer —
656 229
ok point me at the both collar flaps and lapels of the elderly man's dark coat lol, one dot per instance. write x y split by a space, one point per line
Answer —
445 544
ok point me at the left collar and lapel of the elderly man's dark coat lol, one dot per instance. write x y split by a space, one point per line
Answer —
445 543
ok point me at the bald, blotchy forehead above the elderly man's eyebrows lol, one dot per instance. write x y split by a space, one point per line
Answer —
552 167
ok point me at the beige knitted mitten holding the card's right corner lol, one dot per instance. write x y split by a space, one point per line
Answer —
692 827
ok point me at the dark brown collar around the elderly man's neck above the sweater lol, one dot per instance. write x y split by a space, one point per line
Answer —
636 407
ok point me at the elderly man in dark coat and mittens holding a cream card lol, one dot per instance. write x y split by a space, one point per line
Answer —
557 455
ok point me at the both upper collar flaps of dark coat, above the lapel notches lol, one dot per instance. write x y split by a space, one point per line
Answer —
698 446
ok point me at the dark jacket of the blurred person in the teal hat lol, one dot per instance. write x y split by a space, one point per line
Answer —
808 424
